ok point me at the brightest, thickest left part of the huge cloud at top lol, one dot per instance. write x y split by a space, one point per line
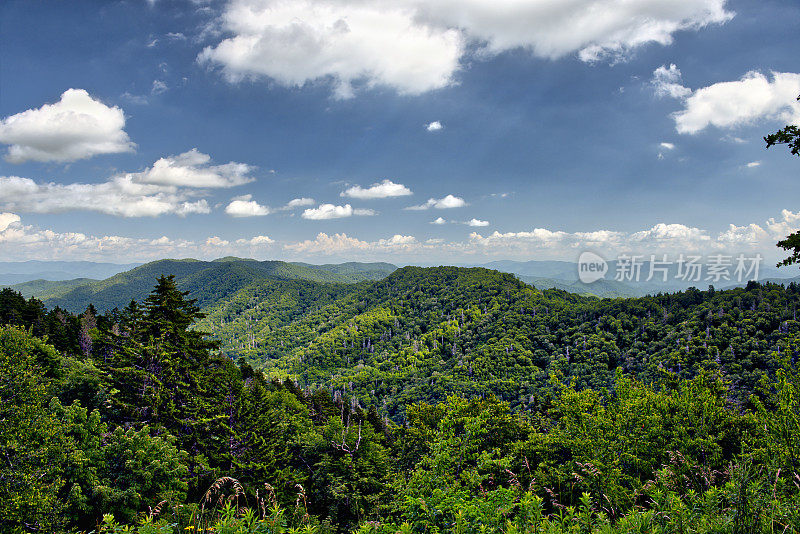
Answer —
301 41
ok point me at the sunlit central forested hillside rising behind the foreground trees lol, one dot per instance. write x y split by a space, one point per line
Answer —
424 333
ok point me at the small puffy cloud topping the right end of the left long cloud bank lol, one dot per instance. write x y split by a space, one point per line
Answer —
194 169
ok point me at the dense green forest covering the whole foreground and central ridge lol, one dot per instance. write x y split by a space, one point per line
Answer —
434 400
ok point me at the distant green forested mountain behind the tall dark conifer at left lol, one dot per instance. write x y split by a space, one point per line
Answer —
210 281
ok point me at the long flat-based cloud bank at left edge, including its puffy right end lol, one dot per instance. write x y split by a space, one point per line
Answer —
169 186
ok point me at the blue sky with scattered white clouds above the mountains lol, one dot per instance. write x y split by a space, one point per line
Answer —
408 131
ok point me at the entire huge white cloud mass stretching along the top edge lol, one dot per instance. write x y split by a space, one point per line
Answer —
414 46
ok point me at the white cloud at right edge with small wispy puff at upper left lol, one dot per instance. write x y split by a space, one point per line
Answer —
752 98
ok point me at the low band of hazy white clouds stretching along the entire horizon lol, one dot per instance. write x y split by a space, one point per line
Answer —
20 241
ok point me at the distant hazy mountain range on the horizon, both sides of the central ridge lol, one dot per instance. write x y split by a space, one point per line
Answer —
74 285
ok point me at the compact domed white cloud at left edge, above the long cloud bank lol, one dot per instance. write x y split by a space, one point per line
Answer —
76 127
